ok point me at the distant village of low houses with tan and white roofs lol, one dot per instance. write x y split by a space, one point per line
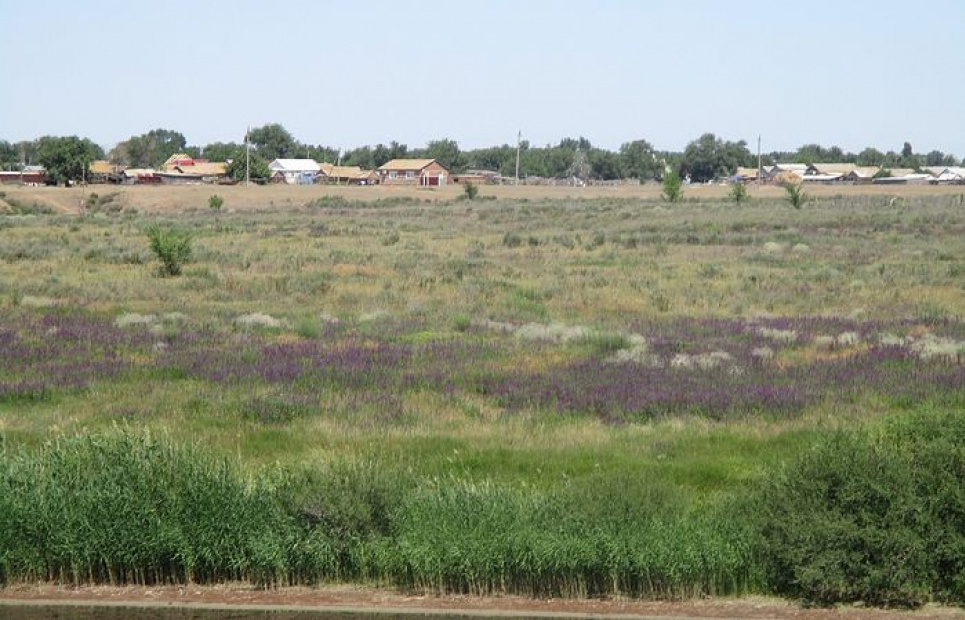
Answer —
181 169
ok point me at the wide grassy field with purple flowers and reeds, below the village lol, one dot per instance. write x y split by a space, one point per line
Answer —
554 391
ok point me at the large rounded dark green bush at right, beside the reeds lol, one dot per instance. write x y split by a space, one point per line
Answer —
878 519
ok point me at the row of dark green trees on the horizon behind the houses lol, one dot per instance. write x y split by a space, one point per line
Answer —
706 158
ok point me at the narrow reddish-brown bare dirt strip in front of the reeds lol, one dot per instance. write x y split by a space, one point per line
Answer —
372 599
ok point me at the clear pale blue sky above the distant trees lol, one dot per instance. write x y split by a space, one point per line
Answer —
850 73
